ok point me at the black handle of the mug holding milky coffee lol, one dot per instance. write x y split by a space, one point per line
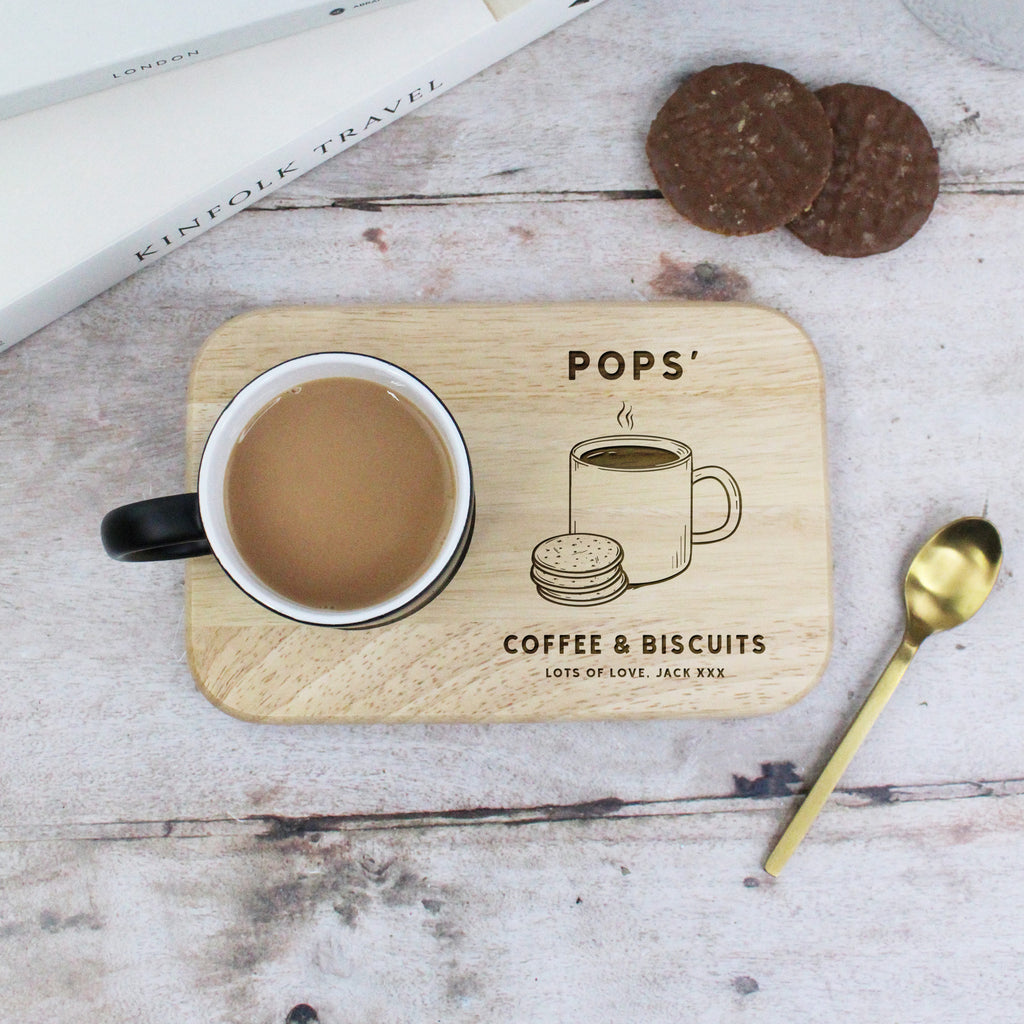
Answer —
156 530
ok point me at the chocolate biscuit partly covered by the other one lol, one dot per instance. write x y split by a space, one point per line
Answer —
885 176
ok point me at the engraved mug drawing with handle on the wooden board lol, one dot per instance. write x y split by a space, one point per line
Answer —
639 490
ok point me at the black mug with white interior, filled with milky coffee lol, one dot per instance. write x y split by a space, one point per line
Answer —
335 489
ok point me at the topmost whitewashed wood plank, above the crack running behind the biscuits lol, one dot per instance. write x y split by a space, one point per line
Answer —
570 113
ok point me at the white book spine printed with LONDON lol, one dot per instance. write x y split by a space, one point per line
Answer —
135 67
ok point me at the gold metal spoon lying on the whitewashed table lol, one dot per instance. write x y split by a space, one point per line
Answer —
947 584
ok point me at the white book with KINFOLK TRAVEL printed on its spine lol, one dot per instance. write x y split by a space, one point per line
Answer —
96 189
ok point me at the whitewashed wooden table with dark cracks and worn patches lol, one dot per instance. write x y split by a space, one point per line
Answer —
160 861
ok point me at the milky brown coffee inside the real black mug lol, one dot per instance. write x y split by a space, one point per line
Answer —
339 494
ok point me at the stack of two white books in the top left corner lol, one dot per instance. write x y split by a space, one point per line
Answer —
107 164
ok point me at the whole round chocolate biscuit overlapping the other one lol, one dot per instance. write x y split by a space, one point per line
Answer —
741 149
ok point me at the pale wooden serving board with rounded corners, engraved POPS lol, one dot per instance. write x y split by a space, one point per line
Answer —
746 629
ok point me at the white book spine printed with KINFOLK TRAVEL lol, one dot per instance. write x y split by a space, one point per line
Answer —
175 228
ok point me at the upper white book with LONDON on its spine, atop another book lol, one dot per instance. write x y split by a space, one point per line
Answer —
60 50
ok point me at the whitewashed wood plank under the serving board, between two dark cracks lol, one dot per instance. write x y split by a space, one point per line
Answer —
920 349
